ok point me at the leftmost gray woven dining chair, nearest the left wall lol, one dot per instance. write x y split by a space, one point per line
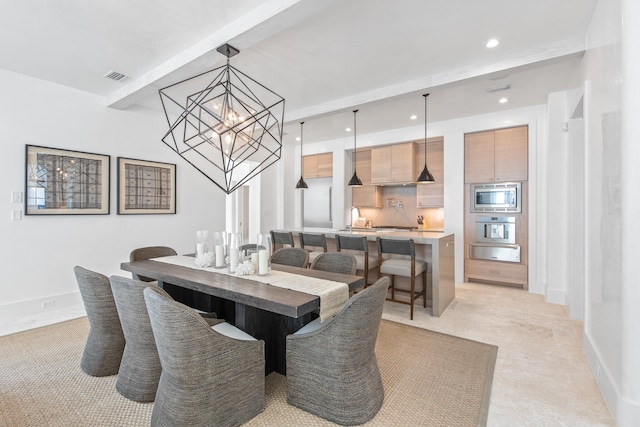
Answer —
105 343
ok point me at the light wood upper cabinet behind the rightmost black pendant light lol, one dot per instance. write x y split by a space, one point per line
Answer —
431 195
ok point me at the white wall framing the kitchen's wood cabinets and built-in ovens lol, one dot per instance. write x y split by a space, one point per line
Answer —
453 132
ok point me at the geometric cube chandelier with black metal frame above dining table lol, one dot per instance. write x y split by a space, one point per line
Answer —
224 123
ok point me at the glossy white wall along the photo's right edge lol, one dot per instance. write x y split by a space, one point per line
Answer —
611 72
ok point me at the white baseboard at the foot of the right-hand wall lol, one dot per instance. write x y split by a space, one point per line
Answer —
625 412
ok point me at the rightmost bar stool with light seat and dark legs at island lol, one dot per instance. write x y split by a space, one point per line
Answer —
402 267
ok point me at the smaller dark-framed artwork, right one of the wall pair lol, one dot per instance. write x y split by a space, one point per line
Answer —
146 187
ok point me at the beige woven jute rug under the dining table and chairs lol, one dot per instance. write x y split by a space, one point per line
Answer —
430 379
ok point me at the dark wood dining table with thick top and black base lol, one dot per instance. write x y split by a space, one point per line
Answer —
266 312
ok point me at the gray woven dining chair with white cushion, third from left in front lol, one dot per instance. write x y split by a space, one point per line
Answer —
208 378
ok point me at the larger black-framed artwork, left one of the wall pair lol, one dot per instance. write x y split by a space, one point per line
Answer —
66 182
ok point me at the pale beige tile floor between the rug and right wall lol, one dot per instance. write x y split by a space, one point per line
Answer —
542 377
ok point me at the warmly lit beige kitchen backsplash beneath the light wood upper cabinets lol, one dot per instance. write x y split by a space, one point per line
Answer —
399 209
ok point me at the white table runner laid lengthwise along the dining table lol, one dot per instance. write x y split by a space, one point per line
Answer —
332 294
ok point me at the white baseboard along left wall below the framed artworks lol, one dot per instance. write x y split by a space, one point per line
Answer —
24 315
